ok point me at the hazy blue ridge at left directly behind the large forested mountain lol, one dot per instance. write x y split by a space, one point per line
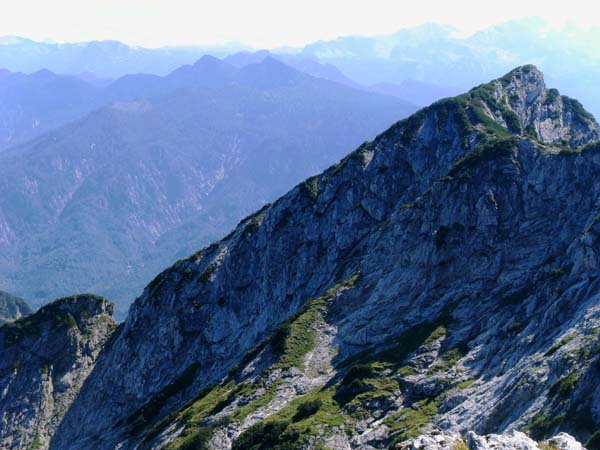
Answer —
33 104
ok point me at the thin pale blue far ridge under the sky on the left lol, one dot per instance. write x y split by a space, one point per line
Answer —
110 59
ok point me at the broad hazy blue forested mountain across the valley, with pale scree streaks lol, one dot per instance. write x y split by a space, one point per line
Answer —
101 204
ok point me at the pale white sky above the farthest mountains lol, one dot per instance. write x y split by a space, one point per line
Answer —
262 23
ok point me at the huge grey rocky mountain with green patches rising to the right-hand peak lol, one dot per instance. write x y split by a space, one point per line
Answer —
436 289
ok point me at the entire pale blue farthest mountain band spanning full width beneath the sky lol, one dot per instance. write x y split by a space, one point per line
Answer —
419 64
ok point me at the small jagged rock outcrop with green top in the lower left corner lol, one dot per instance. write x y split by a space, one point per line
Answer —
44 359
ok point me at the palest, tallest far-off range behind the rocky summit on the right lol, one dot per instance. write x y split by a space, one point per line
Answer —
438 54
